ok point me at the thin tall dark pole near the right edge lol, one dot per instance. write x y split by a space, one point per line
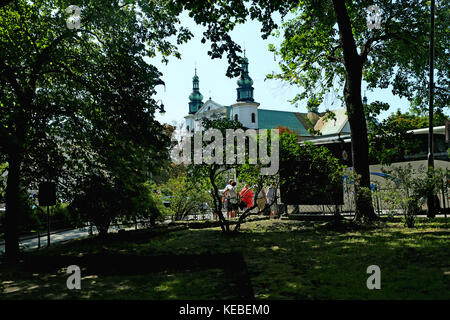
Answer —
430 198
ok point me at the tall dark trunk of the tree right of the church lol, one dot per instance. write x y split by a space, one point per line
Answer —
352 95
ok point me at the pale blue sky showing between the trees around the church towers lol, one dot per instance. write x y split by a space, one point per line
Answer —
271 94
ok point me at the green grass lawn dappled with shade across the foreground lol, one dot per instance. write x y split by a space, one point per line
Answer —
285 260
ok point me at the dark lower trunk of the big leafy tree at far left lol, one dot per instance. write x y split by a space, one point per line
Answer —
13 206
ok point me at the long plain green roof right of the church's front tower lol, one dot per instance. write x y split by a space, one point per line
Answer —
270 119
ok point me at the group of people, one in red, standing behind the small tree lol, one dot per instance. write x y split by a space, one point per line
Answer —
232 199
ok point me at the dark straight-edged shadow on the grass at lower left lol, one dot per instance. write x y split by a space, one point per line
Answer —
123 272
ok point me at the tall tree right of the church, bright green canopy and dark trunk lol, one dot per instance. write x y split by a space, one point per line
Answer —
328 44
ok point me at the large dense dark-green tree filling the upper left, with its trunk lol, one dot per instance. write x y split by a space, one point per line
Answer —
88 89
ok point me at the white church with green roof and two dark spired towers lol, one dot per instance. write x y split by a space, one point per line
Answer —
247 111
